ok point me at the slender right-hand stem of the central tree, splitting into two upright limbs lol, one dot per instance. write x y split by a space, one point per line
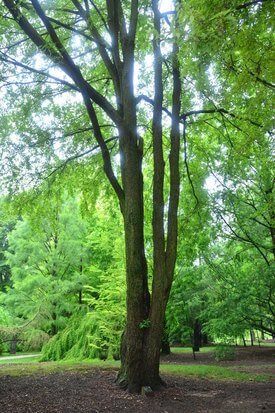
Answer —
165 248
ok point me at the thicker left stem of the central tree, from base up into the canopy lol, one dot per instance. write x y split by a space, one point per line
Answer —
138 298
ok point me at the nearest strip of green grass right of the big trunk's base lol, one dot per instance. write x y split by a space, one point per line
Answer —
213 372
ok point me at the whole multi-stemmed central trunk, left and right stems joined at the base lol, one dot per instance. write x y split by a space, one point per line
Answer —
145 320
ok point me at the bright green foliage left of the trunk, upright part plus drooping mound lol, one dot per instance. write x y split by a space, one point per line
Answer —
96 332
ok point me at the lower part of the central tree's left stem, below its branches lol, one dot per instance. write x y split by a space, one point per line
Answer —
138 297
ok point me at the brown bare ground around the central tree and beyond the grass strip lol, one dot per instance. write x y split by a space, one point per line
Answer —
94 391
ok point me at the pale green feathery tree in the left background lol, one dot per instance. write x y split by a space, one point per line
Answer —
49 261
